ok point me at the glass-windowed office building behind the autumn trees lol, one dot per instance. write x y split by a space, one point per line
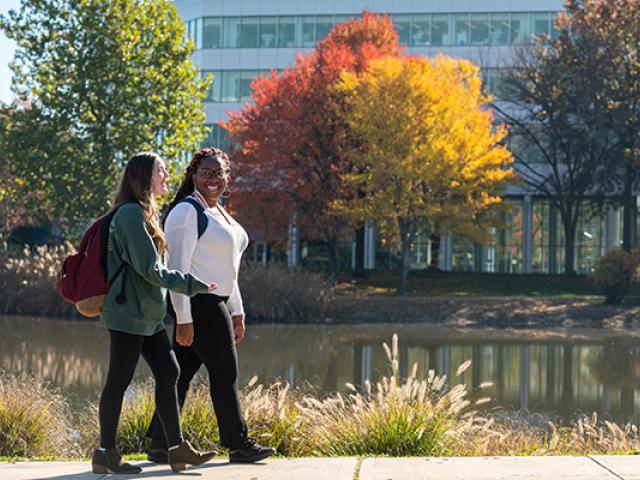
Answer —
237 40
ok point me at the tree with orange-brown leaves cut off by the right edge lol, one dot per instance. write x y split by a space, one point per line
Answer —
607 35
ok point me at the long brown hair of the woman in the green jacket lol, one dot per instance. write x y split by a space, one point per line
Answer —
135 186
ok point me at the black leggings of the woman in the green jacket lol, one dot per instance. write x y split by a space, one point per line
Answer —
124 352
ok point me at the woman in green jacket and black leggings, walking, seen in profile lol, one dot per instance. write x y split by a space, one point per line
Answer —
134 311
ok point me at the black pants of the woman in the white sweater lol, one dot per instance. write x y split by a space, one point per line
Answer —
214 345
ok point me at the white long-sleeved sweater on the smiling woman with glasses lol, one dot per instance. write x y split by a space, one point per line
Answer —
215 257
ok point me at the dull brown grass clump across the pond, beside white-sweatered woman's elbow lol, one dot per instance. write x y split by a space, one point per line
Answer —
277 292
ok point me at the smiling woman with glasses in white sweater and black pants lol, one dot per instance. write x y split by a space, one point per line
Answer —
208 326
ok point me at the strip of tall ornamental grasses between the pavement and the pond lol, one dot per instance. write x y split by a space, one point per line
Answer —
415 416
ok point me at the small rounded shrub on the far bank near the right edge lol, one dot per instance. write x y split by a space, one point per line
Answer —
613 274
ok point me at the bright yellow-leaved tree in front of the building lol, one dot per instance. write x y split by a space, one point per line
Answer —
430 157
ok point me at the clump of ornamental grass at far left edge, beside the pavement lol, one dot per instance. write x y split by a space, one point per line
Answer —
33 419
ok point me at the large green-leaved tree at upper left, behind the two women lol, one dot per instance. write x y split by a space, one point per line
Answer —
103 79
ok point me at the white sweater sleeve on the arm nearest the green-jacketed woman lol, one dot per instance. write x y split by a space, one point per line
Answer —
181 233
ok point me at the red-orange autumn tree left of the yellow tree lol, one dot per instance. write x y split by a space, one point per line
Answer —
294 145
